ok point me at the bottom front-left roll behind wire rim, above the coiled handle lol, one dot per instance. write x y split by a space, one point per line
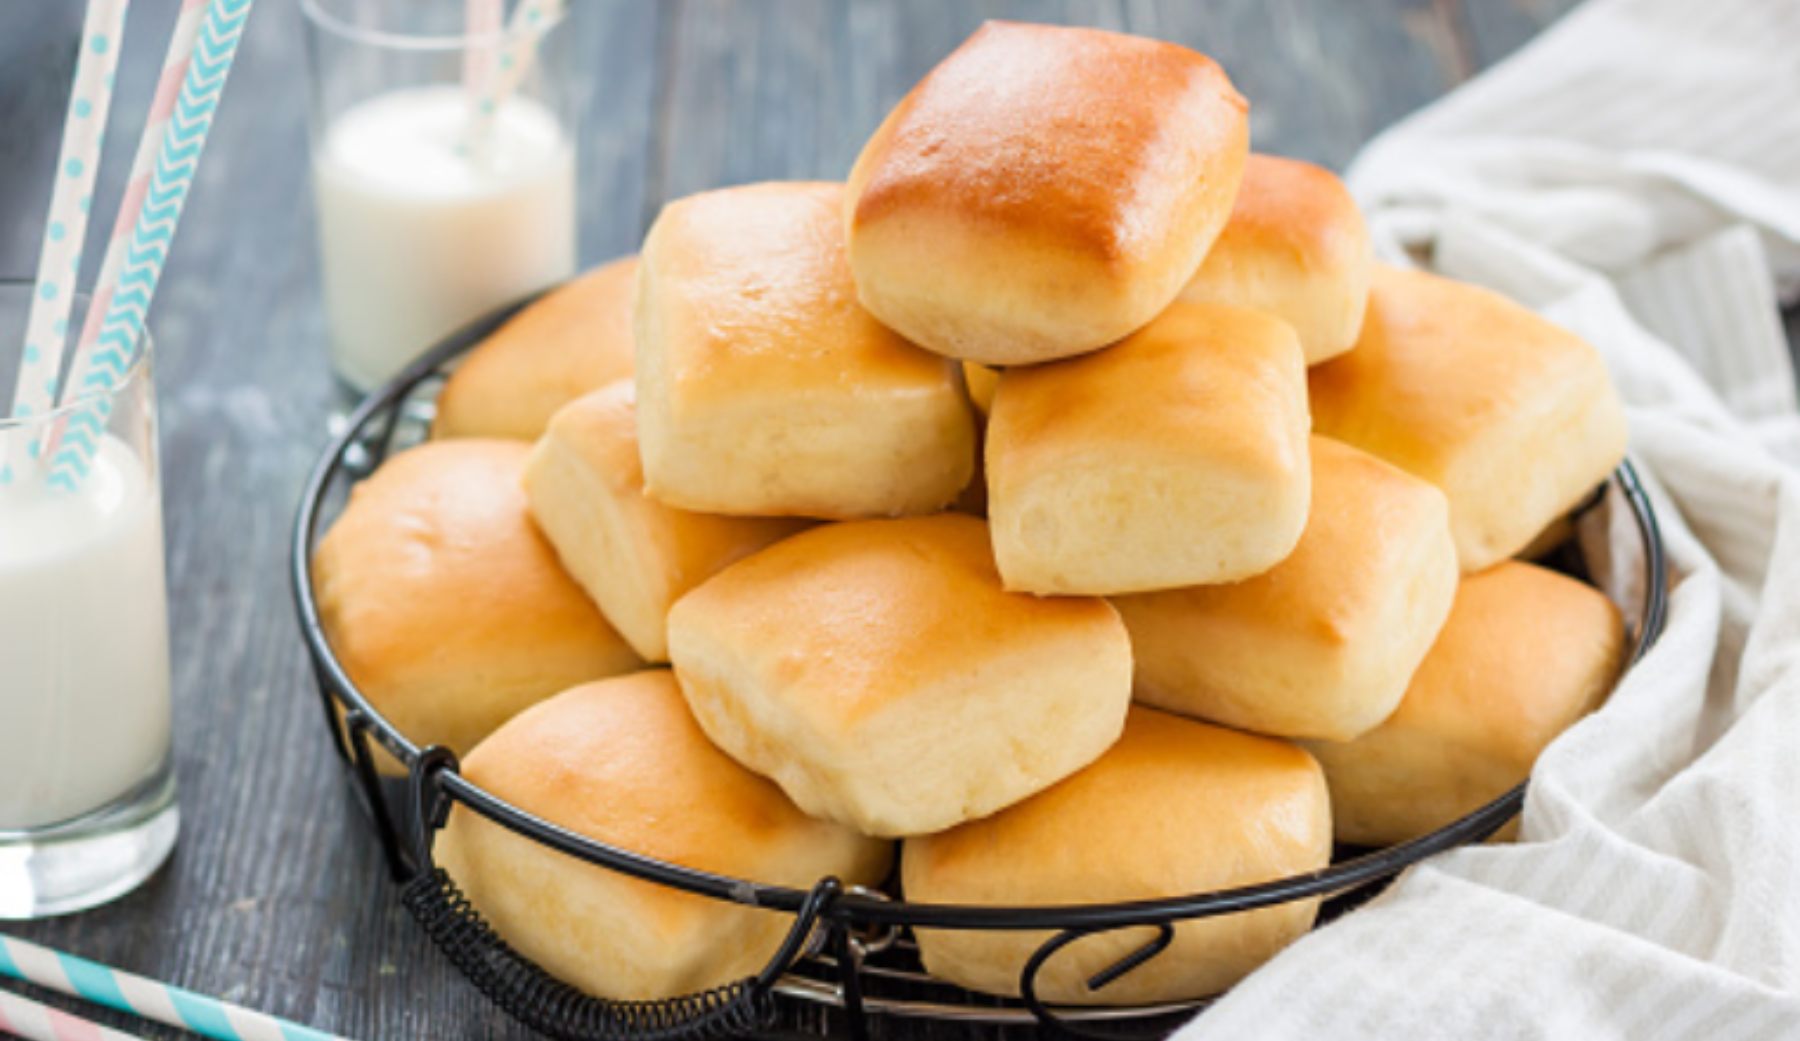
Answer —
622 763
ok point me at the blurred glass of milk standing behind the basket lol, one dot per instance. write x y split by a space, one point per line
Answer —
444 167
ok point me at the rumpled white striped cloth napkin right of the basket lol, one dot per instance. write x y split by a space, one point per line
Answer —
1633 176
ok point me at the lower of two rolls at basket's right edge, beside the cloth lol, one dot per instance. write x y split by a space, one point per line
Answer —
1524 656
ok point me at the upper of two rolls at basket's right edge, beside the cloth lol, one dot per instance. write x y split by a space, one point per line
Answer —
1511 415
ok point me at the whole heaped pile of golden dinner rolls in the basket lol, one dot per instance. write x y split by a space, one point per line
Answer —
1068 496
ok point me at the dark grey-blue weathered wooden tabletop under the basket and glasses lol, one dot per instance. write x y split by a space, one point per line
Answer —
276 896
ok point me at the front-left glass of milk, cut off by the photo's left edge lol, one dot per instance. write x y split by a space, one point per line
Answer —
87 797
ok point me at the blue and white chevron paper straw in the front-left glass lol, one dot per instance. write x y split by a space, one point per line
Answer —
170 181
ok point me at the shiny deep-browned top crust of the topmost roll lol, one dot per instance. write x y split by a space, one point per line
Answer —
1041 129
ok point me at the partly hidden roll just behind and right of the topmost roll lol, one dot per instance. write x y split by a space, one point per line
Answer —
1295 248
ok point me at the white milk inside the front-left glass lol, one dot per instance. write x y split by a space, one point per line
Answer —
84 642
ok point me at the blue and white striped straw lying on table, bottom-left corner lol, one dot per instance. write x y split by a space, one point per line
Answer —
145 999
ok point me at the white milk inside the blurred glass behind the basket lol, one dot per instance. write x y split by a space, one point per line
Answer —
418 239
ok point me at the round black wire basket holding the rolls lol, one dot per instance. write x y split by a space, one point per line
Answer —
849 950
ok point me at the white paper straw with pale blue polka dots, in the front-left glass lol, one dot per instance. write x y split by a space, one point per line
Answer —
67 226
